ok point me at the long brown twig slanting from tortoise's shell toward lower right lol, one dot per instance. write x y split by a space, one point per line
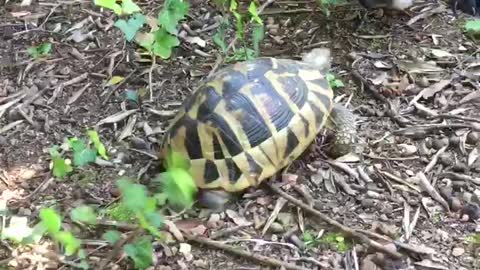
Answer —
345 230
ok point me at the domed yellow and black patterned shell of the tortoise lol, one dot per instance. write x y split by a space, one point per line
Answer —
249 121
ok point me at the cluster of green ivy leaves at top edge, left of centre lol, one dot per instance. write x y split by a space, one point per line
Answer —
161 37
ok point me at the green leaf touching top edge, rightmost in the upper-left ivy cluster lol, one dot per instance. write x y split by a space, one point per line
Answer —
171 14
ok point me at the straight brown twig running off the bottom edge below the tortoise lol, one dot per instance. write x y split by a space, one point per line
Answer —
241 253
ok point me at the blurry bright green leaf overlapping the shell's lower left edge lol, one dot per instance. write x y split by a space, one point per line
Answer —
179 187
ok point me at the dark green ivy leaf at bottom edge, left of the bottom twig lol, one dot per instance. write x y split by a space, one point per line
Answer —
141 252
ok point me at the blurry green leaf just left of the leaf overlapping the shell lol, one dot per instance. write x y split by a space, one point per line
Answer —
134 196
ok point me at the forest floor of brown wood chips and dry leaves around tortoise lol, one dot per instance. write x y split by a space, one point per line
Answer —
414 179
